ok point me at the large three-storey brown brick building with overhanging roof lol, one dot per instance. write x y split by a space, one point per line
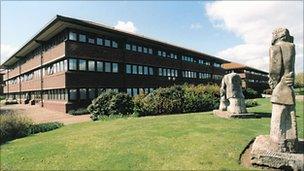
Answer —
70 61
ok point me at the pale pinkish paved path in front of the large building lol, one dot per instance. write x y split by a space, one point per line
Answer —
41 115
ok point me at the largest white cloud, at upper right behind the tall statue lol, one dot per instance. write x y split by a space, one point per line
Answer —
254 22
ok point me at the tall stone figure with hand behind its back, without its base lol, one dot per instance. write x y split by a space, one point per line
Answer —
283 129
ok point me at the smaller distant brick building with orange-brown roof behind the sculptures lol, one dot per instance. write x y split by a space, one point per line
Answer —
251 77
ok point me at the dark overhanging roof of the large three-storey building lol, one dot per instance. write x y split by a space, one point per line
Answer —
60 23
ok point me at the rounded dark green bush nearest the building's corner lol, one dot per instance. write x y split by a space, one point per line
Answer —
111 103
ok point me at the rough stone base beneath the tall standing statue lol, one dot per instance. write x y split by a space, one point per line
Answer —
261 152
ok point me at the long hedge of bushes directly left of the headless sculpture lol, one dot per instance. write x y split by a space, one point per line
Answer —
177 99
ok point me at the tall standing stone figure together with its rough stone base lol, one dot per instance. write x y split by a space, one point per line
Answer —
281 149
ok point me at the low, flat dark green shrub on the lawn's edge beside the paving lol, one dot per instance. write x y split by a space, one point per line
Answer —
44 127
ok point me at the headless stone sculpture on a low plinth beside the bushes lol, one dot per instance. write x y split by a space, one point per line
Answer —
232 102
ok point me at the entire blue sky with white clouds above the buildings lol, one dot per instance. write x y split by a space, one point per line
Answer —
239 31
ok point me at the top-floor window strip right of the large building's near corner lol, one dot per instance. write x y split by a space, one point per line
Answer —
92 40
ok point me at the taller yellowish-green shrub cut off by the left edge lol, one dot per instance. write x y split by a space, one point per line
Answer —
13 126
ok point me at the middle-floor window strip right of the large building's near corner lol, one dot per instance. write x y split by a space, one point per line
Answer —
92 65
